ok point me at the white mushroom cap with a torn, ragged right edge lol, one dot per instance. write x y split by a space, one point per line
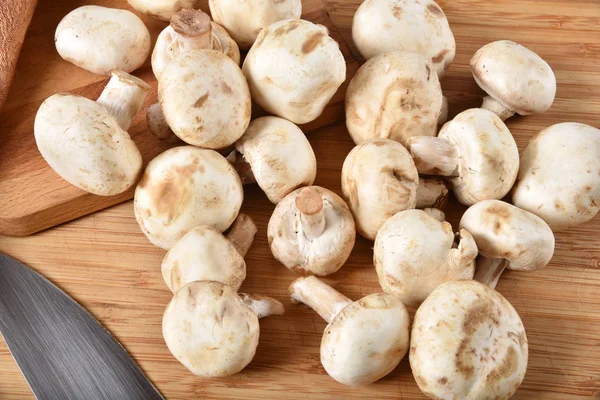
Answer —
415 253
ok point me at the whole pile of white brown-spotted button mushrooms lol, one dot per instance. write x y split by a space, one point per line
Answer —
467 341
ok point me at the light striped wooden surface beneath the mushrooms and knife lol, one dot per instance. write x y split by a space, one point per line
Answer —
105 263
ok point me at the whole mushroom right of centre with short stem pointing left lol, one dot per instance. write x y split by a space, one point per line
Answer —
477 153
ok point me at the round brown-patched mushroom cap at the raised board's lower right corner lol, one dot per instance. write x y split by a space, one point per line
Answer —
185 187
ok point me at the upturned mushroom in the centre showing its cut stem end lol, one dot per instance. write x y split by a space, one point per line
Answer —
312 231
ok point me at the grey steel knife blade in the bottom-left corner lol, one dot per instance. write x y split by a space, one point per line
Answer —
62 351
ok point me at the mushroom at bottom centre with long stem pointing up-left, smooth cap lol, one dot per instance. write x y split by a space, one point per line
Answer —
364 340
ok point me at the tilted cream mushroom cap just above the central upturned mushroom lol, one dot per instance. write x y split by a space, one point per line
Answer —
280 155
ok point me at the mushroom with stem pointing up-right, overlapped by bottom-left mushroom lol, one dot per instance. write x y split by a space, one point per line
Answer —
204 254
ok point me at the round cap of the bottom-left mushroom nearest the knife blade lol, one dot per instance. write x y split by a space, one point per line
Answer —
210 330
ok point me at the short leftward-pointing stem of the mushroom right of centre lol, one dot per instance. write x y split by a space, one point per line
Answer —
433 155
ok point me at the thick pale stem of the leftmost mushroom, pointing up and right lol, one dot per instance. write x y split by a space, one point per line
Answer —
124 97
